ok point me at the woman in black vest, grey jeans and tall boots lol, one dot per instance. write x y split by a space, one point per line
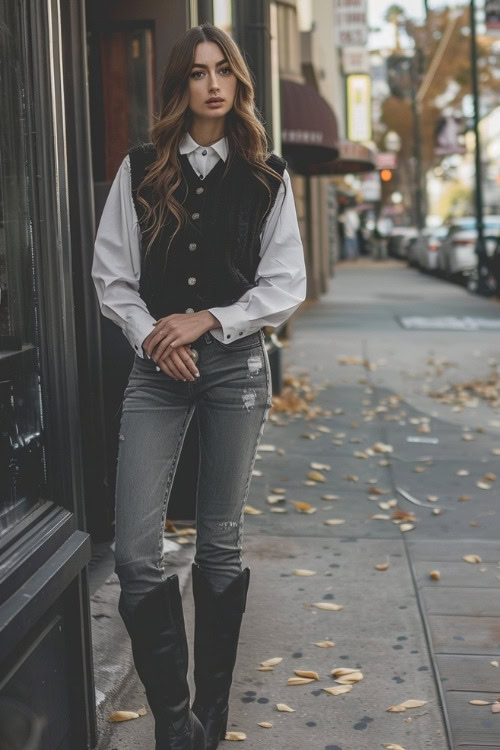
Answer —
198 248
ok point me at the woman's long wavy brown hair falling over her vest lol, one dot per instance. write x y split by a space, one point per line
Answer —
243 128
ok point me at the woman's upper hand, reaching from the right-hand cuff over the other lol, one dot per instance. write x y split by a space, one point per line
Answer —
177 330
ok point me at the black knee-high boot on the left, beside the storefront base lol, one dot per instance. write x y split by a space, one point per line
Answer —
159 646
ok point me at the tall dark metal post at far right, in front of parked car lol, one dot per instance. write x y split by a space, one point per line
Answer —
482 267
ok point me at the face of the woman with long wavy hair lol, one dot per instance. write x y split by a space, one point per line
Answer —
211 78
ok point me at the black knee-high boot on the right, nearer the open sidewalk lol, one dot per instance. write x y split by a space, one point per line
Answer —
217 627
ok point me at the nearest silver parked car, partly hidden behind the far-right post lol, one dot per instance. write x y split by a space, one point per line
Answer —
457 253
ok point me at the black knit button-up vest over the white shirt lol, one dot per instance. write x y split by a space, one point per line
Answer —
213 258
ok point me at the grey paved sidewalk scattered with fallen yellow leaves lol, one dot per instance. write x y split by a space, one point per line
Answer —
367 416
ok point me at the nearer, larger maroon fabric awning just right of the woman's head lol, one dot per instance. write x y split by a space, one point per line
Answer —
309 126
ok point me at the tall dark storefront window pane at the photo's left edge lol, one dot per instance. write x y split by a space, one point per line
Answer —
22 466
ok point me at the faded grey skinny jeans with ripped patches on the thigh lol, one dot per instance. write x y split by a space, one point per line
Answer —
232 398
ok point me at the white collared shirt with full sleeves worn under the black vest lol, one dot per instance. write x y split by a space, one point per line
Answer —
116 268
